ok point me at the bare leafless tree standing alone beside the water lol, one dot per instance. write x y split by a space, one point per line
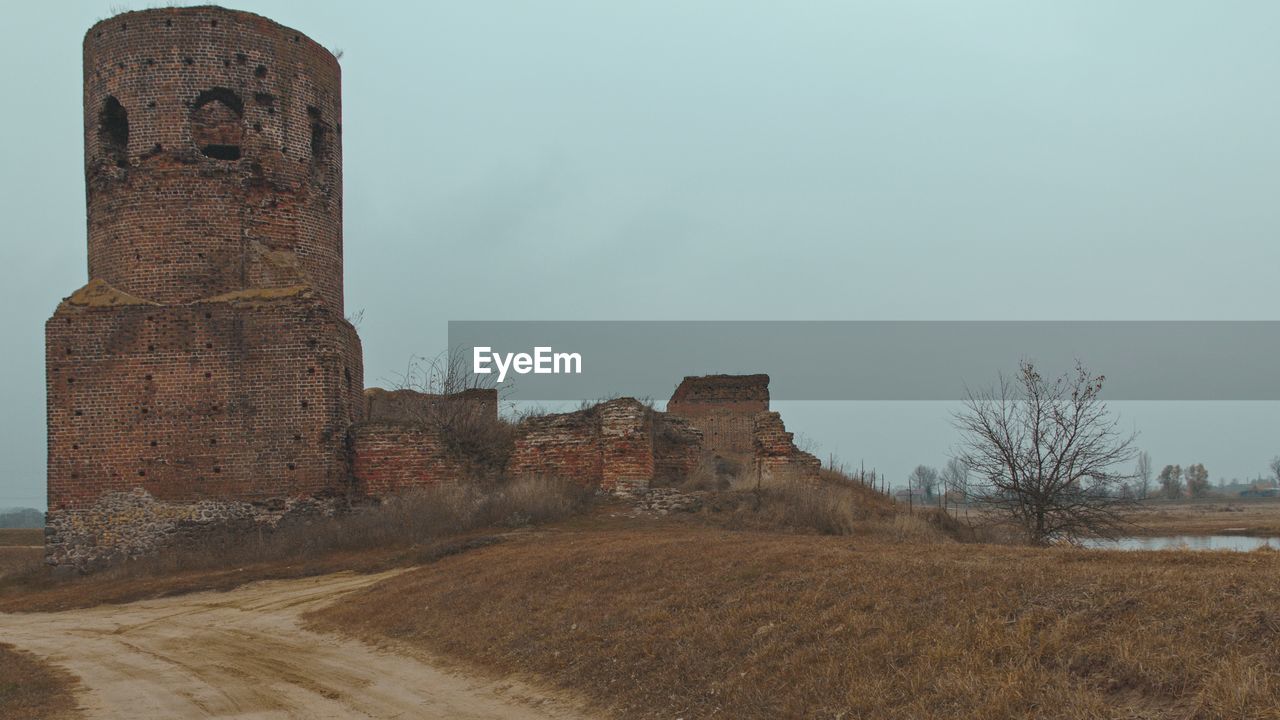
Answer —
1045 455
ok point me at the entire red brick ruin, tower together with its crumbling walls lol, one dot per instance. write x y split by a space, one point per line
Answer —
207 379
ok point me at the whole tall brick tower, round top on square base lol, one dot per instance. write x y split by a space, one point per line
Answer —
207 372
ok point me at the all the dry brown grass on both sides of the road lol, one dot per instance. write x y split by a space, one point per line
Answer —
785 601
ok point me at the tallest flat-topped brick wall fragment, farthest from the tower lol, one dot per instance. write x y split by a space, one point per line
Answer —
724 409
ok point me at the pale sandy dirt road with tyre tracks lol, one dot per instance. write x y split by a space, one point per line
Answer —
244 655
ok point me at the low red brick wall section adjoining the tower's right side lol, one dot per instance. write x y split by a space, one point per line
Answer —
395 457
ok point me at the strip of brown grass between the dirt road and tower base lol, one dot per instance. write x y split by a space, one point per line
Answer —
408 530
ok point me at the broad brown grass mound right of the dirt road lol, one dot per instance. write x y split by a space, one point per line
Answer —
671 619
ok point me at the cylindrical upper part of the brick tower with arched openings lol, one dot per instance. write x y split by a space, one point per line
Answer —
213 156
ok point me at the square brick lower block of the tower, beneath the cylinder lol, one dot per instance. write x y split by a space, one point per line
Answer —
246 398
